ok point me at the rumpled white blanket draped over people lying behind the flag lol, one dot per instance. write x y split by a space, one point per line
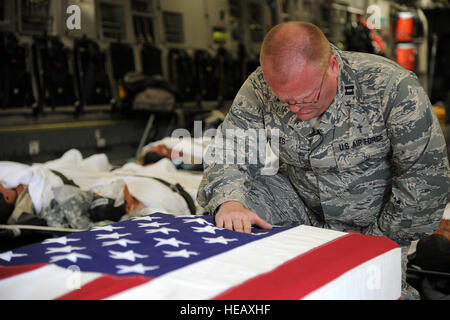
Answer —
94 173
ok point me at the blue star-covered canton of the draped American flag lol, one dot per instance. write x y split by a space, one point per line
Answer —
151 246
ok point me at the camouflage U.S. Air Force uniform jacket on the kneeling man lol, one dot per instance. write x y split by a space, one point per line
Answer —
377 162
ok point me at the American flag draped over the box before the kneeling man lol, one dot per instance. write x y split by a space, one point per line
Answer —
162 256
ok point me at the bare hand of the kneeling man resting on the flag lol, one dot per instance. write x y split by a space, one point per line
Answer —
232 215
